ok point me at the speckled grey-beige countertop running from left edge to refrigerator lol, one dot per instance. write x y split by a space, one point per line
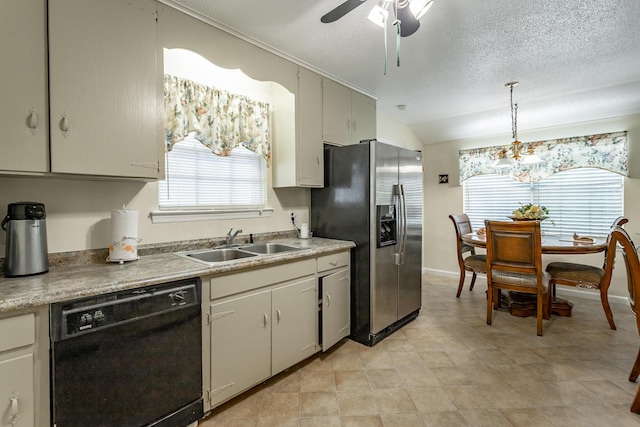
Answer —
67 282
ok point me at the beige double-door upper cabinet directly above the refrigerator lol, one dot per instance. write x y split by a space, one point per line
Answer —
348 116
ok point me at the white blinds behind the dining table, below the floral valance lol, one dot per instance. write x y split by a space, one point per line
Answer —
583 201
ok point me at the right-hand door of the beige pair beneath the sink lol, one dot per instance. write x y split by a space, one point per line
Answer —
295 323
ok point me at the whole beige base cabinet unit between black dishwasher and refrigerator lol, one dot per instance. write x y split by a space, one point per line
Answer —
260 322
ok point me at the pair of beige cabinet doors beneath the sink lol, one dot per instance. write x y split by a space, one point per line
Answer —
259 334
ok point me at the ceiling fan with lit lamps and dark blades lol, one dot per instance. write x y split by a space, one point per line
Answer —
407 13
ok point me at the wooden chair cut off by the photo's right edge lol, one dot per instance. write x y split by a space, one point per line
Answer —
632 263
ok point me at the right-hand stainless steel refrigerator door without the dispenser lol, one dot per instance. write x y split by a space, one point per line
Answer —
410 272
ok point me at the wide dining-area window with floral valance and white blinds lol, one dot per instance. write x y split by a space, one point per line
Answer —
580 181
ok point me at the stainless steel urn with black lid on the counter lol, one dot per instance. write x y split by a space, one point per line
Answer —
26 250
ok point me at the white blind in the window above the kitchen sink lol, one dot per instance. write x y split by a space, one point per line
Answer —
198 179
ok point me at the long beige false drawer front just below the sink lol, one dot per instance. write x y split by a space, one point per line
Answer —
245 281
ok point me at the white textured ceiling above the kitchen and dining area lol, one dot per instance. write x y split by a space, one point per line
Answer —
576 60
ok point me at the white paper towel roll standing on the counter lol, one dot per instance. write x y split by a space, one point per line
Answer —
124 235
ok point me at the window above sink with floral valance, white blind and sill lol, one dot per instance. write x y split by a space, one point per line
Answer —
217 149
